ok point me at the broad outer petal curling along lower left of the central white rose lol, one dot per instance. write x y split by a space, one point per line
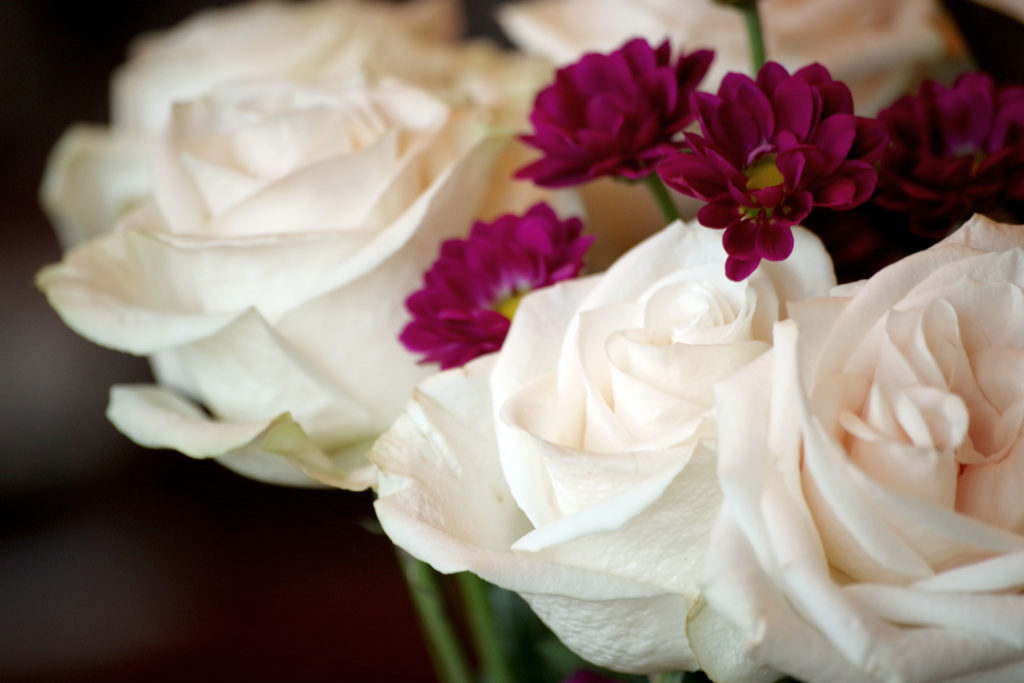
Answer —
443 441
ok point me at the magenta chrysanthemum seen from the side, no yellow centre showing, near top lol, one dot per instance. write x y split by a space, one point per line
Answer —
615 114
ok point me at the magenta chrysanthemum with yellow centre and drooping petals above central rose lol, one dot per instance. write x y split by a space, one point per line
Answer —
770 152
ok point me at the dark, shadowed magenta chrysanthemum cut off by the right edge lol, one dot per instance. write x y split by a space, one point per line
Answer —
954 152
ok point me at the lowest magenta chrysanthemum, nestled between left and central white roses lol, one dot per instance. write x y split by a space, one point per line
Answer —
472 291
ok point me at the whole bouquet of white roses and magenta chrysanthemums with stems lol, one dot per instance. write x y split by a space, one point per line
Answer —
696 328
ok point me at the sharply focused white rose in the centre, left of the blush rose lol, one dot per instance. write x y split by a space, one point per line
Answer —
577 466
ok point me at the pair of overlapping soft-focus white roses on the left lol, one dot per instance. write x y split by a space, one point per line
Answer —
241 214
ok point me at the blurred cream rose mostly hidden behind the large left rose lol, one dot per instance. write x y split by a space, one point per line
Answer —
99 174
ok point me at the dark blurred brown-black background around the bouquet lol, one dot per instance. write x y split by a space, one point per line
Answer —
118 564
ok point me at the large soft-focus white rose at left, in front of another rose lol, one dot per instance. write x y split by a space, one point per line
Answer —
267 277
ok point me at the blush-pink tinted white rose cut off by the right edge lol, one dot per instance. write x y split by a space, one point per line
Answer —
873 525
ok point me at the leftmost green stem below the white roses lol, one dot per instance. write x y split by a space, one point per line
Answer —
450 664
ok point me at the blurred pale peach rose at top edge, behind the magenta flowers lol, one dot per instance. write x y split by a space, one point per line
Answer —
877 48
